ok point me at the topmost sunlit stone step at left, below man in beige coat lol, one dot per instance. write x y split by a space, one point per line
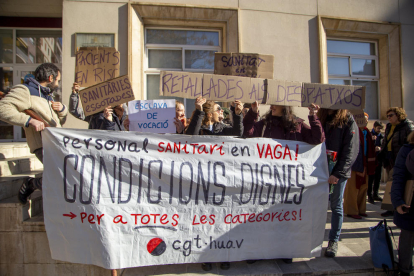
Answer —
17 165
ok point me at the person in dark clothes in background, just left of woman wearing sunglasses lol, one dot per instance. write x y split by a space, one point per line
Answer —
376 178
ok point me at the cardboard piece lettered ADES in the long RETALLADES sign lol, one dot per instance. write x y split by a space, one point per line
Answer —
226 88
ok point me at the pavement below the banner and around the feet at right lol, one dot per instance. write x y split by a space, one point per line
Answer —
353 258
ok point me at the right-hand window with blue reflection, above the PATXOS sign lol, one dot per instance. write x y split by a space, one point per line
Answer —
355 63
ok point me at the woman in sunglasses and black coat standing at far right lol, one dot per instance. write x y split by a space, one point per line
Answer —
396 133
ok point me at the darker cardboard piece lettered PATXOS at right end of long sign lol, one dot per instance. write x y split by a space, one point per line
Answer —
333 96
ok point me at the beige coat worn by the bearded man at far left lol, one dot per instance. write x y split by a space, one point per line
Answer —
19 99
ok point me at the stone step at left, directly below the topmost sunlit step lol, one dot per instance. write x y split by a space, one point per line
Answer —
10 185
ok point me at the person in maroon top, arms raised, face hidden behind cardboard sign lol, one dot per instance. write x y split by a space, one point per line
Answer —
280 123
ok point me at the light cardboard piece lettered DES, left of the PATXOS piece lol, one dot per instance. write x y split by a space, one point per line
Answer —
284 93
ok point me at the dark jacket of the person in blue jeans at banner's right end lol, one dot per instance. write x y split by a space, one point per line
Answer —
345 141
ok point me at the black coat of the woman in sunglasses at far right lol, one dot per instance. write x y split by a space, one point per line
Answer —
399 138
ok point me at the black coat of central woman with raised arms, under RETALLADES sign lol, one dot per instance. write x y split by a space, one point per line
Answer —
195 127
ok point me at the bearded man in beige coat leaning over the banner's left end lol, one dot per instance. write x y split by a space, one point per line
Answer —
34 95
